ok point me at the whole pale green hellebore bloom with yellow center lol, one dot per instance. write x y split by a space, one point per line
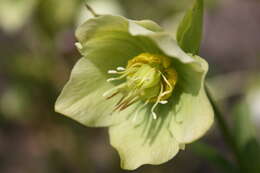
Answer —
136 80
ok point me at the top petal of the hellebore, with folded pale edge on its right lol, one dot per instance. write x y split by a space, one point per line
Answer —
115 40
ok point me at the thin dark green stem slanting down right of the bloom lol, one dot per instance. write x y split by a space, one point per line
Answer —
224 129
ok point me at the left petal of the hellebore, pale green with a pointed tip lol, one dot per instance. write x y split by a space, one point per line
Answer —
82 100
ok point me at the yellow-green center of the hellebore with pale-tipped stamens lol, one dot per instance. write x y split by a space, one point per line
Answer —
147 77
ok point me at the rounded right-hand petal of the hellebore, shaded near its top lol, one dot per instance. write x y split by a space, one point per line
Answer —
190 107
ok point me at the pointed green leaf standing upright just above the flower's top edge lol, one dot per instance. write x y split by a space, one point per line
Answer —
189 33
